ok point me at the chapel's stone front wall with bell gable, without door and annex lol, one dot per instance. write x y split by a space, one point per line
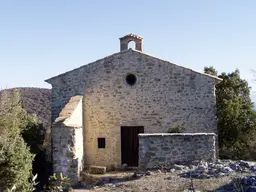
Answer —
164 95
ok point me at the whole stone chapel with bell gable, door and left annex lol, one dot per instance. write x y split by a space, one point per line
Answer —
99 109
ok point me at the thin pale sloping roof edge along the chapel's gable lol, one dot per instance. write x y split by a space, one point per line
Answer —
142 53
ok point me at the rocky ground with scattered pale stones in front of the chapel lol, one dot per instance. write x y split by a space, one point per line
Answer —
220 176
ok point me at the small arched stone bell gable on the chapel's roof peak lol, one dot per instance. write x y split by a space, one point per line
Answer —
124 41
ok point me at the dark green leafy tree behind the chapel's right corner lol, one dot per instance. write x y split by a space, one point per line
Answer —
236 117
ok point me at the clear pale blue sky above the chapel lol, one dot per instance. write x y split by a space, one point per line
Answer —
41 39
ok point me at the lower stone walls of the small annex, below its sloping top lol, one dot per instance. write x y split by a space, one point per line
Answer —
67 151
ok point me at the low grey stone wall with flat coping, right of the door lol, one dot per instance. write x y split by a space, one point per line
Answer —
169 148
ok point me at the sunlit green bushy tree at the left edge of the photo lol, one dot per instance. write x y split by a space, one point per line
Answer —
15 156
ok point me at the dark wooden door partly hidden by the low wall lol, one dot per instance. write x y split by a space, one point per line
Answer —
130 144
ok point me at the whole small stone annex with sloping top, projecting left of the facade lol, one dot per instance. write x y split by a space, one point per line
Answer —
67 134
